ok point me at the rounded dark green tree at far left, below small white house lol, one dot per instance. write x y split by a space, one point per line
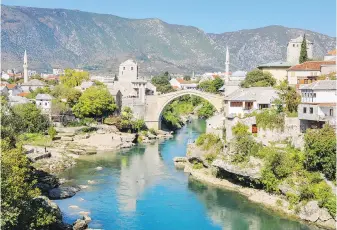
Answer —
30 118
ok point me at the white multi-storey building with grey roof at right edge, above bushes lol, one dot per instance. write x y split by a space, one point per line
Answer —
318 105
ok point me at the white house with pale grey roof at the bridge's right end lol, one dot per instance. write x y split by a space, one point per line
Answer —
247 100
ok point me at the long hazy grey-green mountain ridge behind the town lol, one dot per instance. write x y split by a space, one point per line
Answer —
99 42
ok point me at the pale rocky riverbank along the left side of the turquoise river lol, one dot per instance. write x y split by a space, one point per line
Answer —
69 144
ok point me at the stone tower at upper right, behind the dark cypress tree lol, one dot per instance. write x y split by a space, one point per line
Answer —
294 49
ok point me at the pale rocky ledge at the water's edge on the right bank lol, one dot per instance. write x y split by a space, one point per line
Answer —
221 173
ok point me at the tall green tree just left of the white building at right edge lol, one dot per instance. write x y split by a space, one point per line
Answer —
288 96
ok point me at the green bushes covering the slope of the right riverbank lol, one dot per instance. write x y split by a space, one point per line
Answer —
305 174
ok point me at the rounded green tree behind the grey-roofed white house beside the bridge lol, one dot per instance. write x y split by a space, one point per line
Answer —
258 78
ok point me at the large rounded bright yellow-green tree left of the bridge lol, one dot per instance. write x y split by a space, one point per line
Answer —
95 102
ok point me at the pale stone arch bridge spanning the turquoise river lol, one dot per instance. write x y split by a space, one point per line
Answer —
155 104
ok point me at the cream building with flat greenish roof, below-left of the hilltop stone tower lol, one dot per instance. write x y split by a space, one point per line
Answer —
277 69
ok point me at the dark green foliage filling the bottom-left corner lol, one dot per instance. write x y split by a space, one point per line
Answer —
18 208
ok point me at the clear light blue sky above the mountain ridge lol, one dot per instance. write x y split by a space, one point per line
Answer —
212 16
